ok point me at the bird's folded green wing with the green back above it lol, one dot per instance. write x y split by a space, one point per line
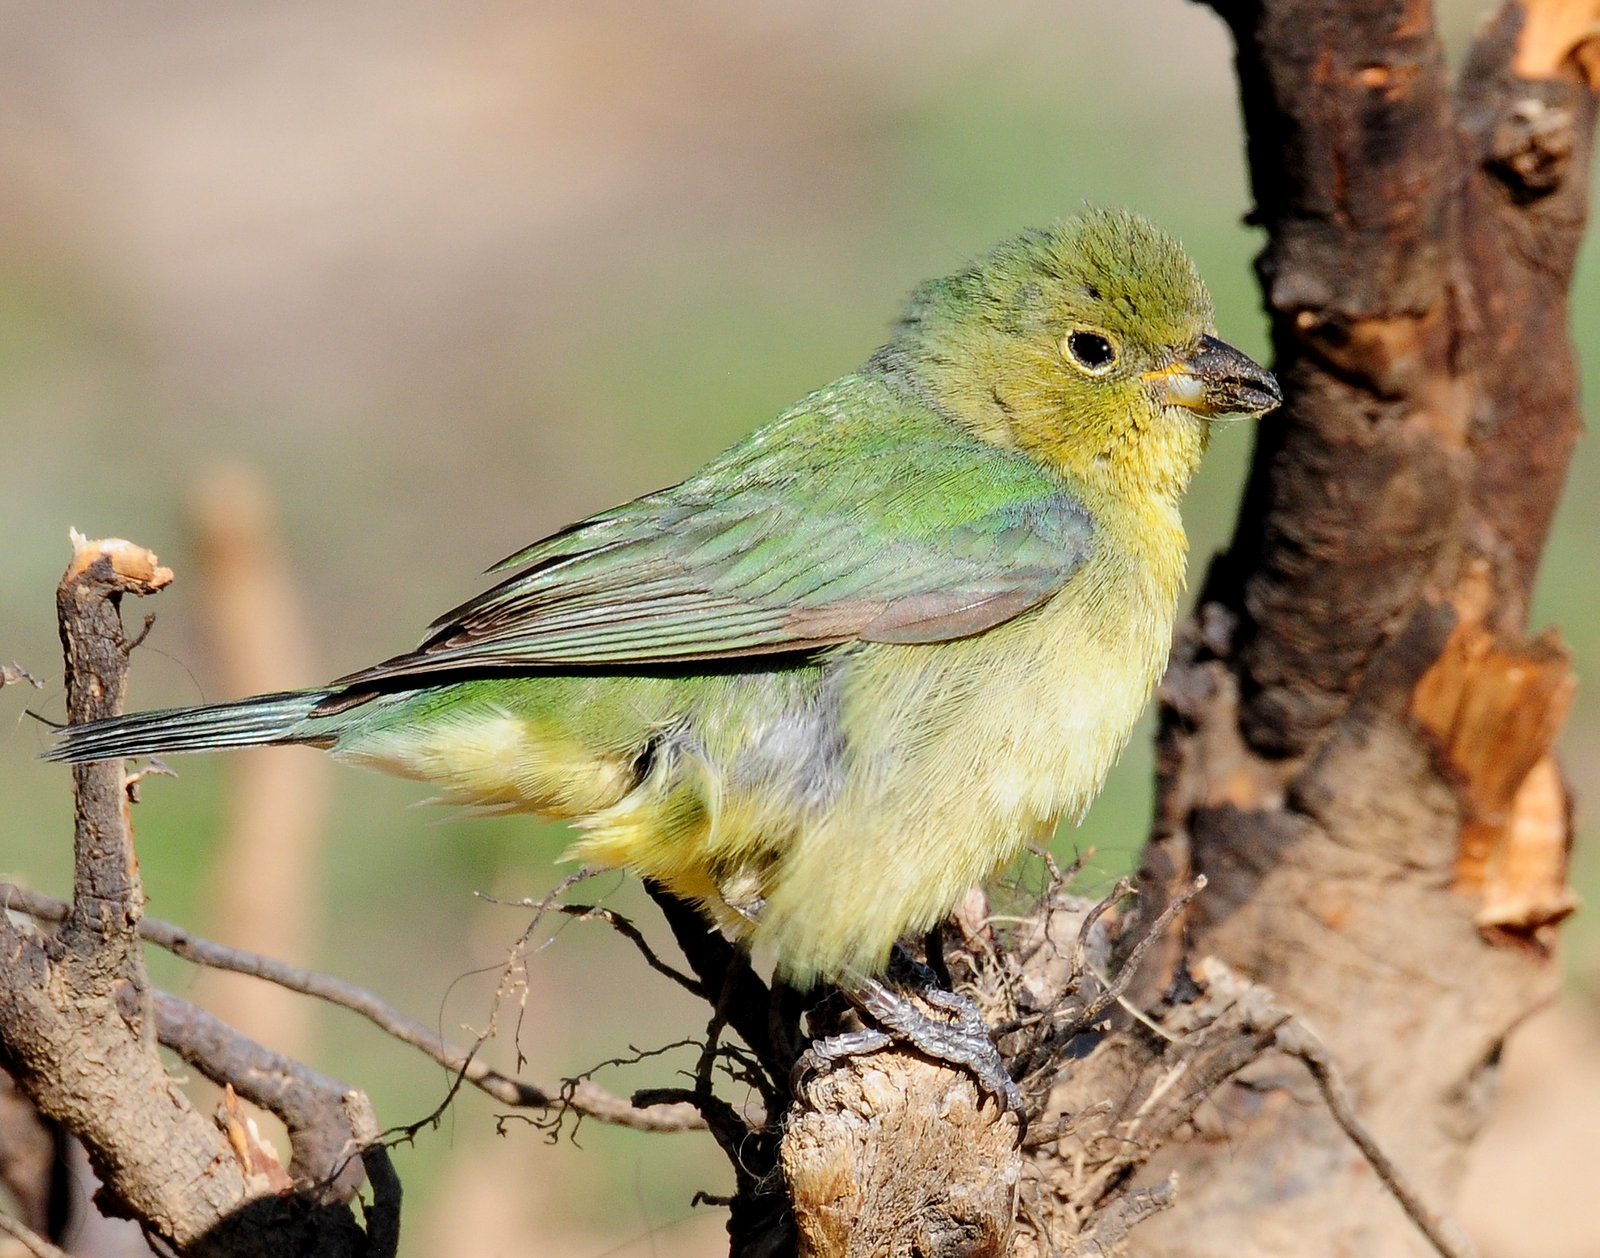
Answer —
817 531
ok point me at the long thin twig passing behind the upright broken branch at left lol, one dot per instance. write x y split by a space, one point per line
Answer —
588 1099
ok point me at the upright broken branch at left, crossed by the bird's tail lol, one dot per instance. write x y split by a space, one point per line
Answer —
68 1041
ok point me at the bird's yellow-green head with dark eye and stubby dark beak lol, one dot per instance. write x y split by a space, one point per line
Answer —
1089 347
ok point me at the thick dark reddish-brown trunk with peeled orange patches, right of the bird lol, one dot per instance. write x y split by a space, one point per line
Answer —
1356 745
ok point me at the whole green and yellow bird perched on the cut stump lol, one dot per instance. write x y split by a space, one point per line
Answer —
862 659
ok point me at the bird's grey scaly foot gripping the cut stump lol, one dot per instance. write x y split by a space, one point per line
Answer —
962 1041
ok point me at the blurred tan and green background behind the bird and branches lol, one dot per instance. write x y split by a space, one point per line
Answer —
449 276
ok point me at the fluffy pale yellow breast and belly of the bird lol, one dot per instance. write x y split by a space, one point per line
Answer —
959 756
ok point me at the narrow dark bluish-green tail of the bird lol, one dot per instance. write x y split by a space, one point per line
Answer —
257 723
